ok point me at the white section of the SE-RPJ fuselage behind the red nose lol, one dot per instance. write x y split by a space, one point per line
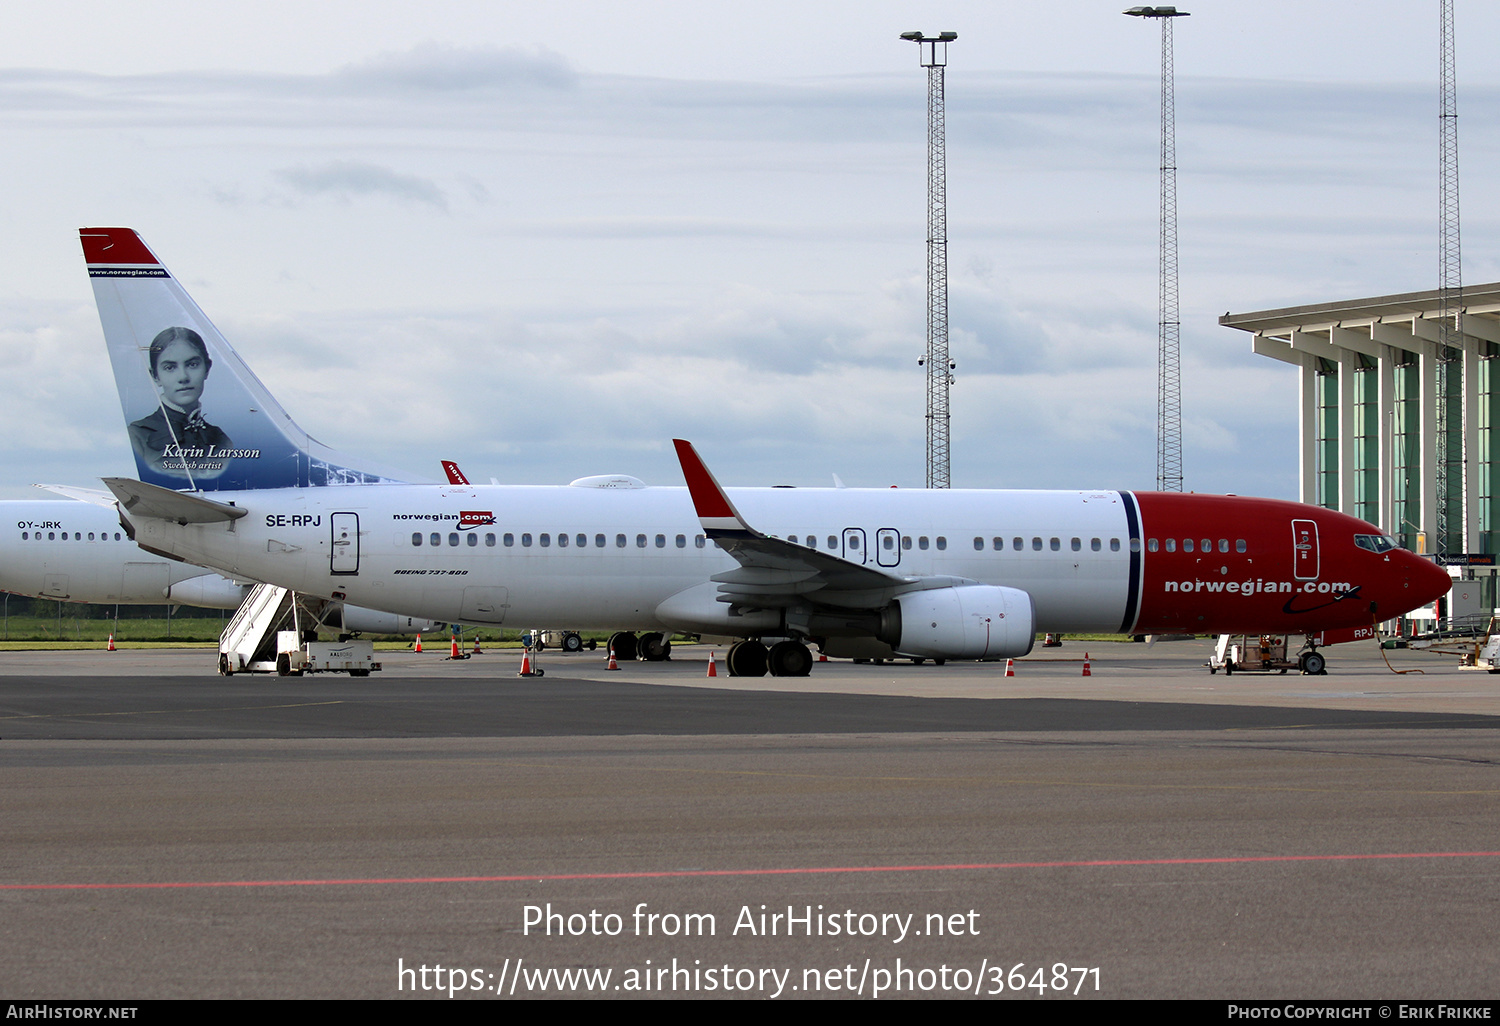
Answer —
427 551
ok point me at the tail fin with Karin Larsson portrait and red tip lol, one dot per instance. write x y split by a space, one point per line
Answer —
199 418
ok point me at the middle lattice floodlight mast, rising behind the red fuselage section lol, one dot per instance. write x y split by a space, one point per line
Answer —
1169 326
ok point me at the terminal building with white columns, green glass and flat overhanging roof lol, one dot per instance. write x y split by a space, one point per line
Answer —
1370 419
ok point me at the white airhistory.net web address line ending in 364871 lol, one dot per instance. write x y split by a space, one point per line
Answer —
515 977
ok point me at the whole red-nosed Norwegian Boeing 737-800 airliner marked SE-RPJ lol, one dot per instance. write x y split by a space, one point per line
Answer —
229 481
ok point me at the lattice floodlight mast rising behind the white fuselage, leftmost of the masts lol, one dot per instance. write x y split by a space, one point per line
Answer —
940 368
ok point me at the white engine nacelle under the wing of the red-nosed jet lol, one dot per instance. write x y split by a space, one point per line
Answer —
971 622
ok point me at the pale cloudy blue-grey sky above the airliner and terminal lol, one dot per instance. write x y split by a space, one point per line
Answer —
547 239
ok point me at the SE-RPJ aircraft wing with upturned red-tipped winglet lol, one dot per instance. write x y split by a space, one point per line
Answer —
775 572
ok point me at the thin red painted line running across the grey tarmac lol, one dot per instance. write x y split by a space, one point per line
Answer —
541 878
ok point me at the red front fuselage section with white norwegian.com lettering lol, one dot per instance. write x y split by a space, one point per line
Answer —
1259 590
